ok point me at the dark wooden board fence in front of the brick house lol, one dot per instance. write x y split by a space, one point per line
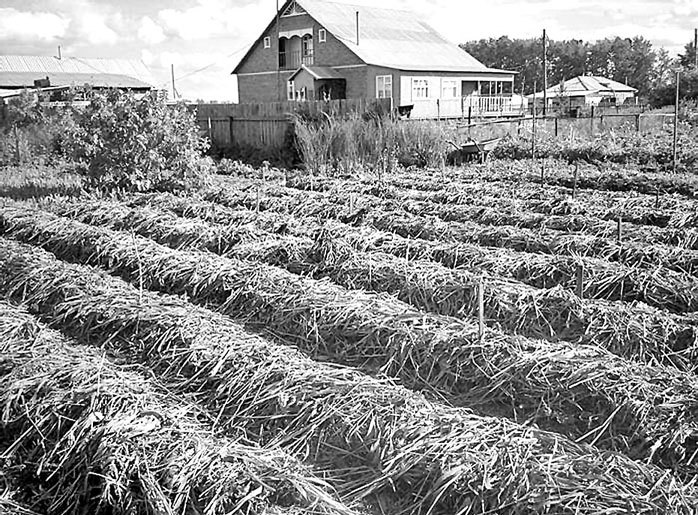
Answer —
264 126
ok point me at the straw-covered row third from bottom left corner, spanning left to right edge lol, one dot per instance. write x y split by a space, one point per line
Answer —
583 391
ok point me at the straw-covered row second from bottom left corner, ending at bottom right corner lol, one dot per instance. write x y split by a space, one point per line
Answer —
373 440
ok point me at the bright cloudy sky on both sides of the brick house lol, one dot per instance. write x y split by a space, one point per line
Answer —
204 39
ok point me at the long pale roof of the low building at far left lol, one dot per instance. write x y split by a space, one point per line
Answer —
21 71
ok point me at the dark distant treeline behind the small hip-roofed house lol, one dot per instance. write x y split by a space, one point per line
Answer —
632 61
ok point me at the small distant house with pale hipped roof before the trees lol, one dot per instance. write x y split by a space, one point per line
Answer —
586 91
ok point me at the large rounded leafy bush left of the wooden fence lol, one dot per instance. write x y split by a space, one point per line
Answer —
122 142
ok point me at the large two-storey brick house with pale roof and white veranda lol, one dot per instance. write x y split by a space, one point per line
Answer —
323 50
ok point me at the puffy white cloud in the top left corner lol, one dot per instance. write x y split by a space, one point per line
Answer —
31 26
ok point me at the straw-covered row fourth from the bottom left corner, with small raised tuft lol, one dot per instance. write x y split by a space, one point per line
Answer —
635 331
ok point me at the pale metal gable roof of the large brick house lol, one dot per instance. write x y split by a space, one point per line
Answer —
390 38
